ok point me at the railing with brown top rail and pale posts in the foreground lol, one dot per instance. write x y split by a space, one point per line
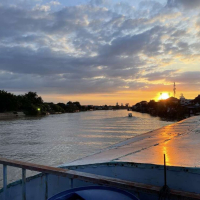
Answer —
92 178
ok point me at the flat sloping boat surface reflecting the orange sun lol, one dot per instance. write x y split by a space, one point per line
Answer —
180 142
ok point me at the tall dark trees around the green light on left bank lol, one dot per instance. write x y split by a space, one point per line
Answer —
31 104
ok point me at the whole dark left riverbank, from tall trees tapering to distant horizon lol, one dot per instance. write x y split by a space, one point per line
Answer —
32 104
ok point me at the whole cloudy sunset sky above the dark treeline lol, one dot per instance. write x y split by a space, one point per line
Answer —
100 51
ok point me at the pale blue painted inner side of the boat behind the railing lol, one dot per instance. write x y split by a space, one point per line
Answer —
178 178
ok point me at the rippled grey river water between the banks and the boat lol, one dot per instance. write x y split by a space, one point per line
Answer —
56 139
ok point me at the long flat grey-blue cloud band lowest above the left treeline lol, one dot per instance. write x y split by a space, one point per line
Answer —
63 84
